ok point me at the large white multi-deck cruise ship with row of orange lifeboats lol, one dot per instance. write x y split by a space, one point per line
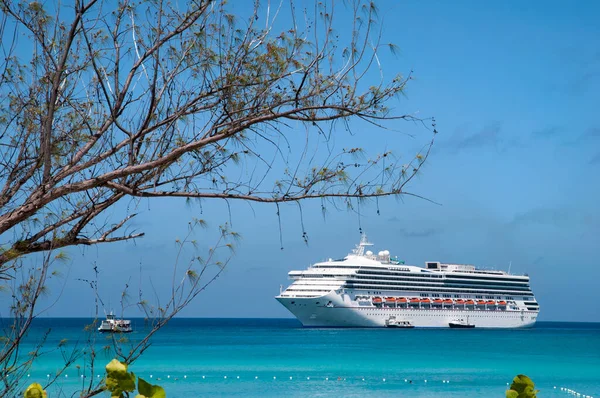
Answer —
365 289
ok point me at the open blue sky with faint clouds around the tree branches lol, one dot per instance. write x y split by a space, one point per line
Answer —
514 87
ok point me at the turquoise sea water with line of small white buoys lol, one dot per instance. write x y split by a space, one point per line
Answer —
277 357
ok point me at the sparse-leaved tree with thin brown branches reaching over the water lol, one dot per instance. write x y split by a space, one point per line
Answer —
103 102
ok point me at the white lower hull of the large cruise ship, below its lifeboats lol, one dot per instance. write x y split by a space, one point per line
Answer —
332 310
